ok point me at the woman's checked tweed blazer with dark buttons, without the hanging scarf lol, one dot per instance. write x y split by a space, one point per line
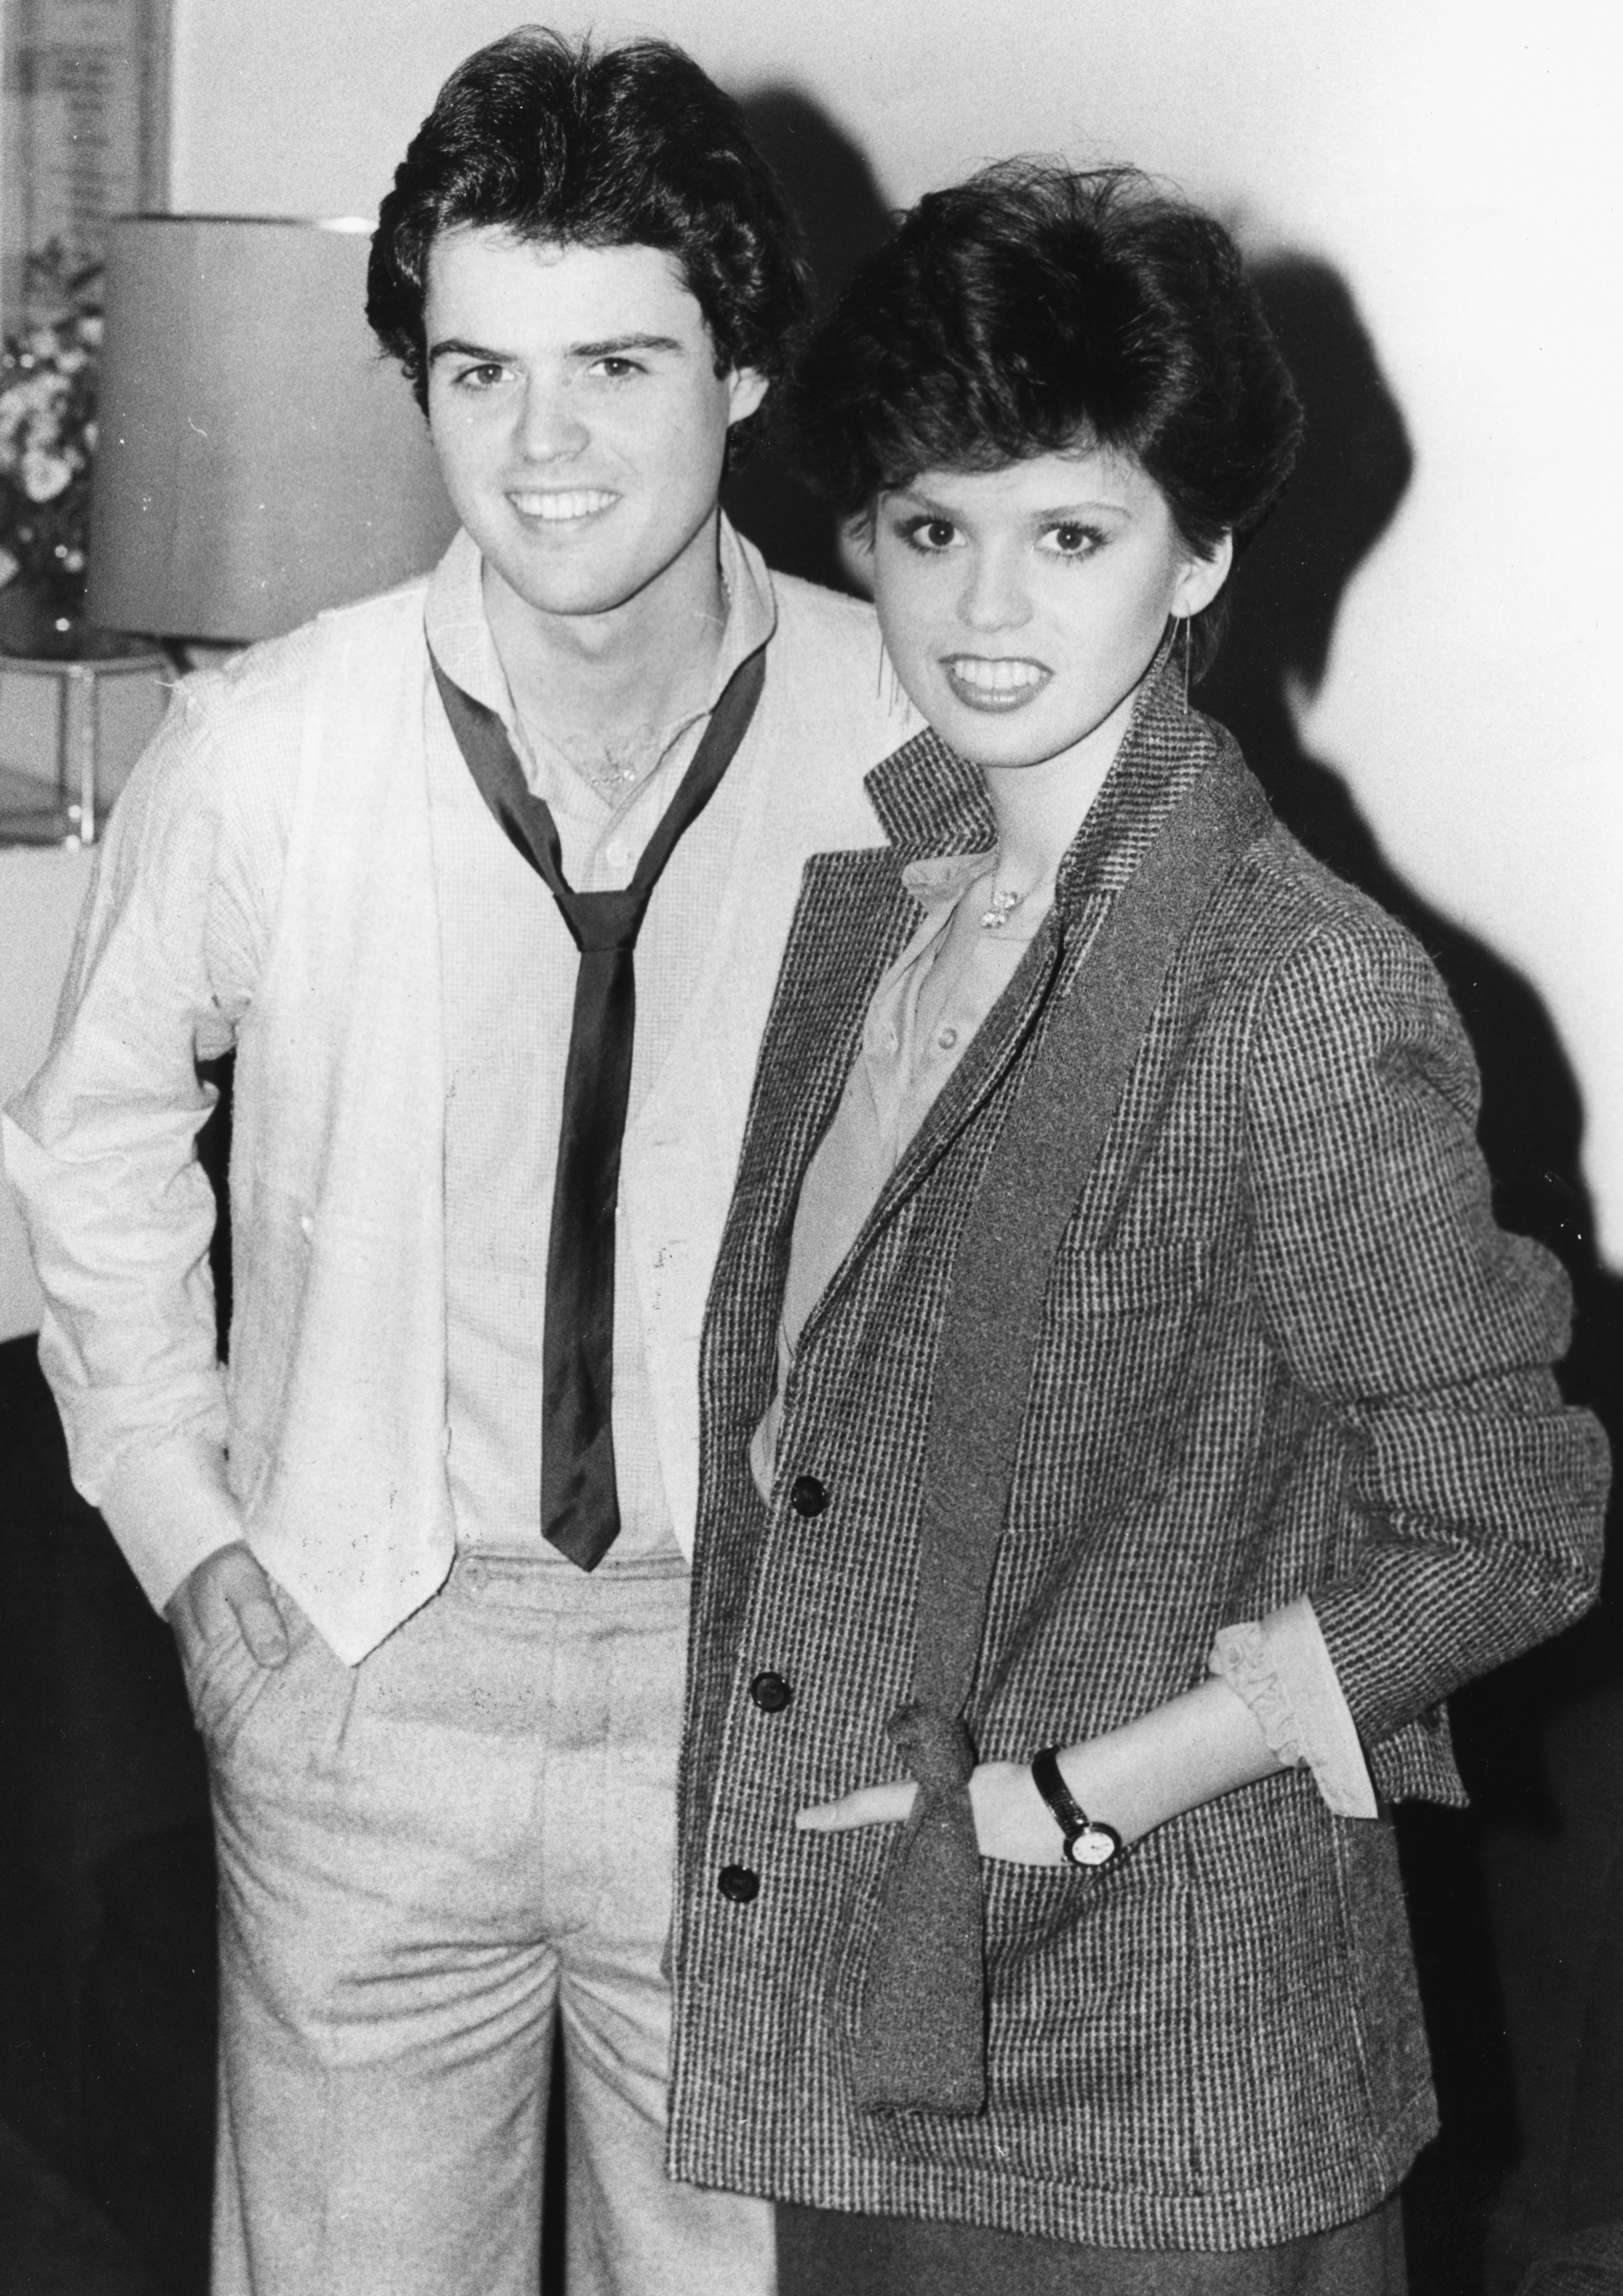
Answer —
1284 1351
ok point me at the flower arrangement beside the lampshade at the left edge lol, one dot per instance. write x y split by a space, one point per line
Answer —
49 437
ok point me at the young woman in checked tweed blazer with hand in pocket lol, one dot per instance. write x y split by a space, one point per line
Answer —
1126 1420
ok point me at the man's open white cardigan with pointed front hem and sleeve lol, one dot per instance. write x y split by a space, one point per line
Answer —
327 1443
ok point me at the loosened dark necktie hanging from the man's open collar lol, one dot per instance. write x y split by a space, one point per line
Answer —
580 1496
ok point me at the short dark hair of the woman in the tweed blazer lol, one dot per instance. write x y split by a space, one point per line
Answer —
1032 311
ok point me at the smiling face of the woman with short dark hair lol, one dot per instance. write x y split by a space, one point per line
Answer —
1023 607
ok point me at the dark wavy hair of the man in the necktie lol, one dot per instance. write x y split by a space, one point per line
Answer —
570 146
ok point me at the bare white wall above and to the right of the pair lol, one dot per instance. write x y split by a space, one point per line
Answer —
1454 162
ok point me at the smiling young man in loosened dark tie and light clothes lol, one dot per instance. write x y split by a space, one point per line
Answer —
424 1549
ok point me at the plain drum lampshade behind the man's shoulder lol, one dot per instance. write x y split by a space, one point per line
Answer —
256 456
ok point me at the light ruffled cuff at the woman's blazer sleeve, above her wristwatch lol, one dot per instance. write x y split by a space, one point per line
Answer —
1284 1675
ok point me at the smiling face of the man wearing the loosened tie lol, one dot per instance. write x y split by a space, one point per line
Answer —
577 414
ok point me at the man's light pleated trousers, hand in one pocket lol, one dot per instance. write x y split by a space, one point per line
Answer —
424 1863
